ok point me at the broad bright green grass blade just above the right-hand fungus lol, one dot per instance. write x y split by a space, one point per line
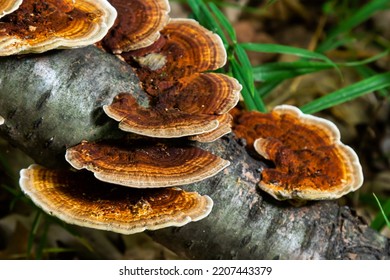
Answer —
350 92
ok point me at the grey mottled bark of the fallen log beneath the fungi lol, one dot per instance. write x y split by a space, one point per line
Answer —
54 100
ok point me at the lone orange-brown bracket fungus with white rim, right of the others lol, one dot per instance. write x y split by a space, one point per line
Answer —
310 161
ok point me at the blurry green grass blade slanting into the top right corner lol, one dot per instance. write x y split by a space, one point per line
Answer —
354 20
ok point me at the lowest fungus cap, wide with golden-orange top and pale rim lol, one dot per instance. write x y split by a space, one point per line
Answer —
78 198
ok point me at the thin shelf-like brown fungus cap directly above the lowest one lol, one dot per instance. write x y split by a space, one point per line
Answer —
145 164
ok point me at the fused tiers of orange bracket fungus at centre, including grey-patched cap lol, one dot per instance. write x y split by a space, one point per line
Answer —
183 100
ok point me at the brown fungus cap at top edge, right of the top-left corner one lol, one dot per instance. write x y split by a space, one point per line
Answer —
138 24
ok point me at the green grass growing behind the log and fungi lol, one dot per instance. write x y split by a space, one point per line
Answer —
260 81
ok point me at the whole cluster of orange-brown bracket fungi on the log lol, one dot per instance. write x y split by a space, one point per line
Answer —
132 184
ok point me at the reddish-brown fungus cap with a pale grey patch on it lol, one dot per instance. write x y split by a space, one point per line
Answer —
185 48
